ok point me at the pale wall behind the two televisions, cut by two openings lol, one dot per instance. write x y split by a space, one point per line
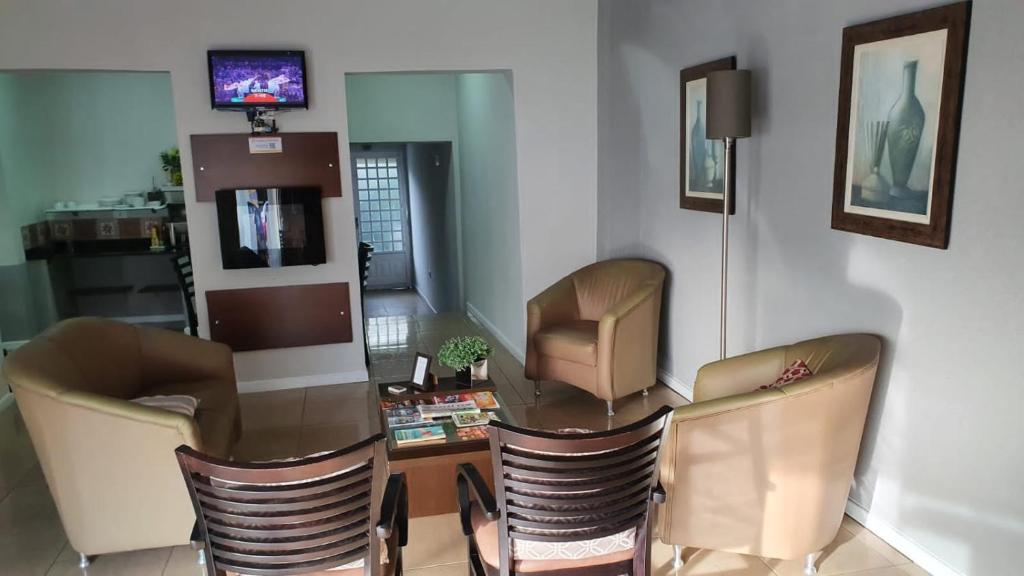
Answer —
550 48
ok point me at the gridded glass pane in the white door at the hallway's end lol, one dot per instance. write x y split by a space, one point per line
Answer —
380 203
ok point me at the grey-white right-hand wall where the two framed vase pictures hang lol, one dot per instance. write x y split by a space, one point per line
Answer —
942 462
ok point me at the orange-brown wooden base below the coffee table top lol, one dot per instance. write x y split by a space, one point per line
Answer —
432 481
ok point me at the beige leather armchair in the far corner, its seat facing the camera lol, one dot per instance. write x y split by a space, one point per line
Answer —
598 330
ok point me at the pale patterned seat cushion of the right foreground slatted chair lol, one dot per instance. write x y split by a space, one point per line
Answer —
541 557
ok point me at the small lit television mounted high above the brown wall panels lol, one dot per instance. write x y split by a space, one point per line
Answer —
250 79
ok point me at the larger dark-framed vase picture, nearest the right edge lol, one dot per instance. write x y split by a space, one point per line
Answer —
900 109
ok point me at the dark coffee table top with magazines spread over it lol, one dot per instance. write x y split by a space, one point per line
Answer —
456 440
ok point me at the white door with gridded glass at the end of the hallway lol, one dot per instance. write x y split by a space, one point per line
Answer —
382 214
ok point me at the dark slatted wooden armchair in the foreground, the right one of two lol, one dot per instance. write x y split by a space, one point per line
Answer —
568 505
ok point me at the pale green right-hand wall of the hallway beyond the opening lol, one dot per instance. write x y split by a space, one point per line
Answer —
492 227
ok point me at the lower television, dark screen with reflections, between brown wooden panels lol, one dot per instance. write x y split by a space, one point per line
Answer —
271 228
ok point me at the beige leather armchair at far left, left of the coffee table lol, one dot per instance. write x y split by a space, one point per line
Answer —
110 464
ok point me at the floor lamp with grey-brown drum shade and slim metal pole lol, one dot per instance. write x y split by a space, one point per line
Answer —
729 119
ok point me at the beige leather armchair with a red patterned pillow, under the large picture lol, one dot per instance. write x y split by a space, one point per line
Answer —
769 473
